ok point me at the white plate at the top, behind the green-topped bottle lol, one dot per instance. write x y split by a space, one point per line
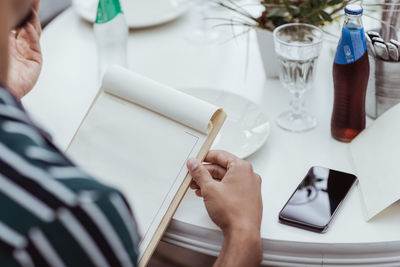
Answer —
138 13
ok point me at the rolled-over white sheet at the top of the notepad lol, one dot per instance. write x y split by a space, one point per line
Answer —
162 99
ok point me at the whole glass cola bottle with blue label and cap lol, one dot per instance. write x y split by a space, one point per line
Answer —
350 78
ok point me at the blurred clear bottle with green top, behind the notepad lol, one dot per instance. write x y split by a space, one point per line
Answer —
111 33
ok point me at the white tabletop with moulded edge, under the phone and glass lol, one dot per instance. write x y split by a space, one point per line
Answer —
68 84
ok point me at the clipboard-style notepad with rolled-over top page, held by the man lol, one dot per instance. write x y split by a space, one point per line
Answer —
137 137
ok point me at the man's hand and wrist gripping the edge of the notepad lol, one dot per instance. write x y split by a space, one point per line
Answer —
232 196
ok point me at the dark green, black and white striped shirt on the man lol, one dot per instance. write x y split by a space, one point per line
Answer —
53 213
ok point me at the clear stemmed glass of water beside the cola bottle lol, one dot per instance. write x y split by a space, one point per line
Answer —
298 46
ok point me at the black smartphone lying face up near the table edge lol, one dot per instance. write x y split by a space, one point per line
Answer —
317 199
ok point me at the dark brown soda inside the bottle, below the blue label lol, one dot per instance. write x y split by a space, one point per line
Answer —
350 83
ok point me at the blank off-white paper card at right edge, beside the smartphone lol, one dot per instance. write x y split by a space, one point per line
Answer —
375 153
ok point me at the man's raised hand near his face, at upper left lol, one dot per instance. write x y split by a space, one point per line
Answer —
25 56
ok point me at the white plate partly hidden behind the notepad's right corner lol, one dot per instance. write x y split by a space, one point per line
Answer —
246 129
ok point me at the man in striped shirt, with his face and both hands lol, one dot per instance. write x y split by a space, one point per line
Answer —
54 214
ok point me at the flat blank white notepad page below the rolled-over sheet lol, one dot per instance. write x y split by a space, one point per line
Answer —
139 152
